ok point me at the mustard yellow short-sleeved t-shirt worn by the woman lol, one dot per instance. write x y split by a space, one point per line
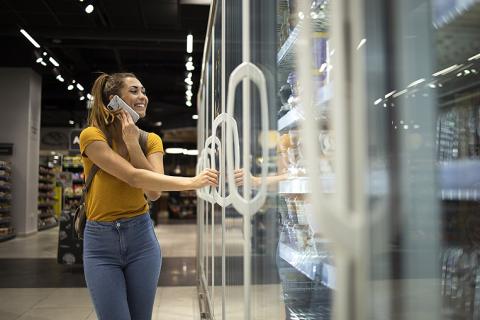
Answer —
109 198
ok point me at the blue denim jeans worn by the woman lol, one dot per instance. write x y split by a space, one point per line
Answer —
122 261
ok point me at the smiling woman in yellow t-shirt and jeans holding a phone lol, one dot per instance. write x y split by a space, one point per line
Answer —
122 256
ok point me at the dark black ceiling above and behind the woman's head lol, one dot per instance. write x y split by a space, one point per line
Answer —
146 37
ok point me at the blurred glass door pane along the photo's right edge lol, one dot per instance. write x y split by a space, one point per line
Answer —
456 83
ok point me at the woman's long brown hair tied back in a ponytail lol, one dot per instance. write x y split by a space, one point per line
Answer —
103 87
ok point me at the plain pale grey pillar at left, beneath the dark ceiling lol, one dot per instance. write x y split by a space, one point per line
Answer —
20 89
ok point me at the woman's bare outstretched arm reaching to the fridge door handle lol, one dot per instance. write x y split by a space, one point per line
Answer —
106 159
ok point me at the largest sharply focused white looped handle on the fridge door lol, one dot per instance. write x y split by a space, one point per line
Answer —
247 70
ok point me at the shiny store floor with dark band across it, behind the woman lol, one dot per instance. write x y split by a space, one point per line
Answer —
34 287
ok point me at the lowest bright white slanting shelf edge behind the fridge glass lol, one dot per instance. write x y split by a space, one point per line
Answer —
311 265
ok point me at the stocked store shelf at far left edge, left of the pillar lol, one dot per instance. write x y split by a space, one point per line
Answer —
6 230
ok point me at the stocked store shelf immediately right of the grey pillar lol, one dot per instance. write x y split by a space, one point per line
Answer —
46 199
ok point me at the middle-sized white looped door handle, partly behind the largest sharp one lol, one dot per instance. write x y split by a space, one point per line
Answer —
231 125
